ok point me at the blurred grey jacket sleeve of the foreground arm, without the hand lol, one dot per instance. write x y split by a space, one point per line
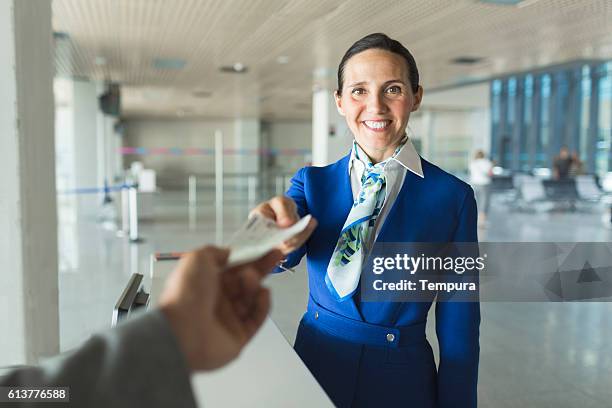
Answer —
138 363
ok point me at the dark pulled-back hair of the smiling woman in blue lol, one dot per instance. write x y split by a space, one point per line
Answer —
383 42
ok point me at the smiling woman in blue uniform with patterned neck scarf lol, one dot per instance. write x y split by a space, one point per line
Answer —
370 354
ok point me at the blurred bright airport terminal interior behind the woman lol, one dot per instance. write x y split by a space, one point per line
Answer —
173 119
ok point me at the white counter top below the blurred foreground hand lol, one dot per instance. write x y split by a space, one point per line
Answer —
268 373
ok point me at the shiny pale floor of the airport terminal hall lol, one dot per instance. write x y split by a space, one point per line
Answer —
532 354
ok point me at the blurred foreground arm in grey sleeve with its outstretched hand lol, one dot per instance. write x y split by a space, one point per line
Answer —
206 315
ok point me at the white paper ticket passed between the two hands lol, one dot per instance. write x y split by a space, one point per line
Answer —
258 236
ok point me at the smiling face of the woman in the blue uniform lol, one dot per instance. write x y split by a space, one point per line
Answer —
377 101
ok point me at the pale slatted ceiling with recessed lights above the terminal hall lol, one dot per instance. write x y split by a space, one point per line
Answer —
118 40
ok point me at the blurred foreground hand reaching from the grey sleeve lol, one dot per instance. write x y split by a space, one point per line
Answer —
215 311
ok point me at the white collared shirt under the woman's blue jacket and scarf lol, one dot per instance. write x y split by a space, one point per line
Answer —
395 171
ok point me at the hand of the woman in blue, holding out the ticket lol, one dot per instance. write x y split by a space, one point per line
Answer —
283 210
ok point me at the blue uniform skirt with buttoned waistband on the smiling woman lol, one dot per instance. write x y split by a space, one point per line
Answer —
364 365
